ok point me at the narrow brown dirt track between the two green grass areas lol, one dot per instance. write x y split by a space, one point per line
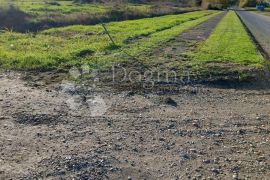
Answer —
174 51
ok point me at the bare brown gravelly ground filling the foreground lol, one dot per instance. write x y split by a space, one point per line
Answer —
218 133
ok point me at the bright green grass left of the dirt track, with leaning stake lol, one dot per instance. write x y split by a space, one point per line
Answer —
58 47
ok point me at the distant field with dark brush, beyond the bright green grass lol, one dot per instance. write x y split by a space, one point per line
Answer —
39 15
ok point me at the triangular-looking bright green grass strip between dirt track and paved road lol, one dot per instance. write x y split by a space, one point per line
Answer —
229 43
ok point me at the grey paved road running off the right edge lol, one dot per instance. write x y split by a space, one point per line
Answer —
259 26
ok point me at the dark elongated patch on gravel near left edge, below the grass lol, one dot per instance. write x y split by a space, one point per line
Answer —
37 119
